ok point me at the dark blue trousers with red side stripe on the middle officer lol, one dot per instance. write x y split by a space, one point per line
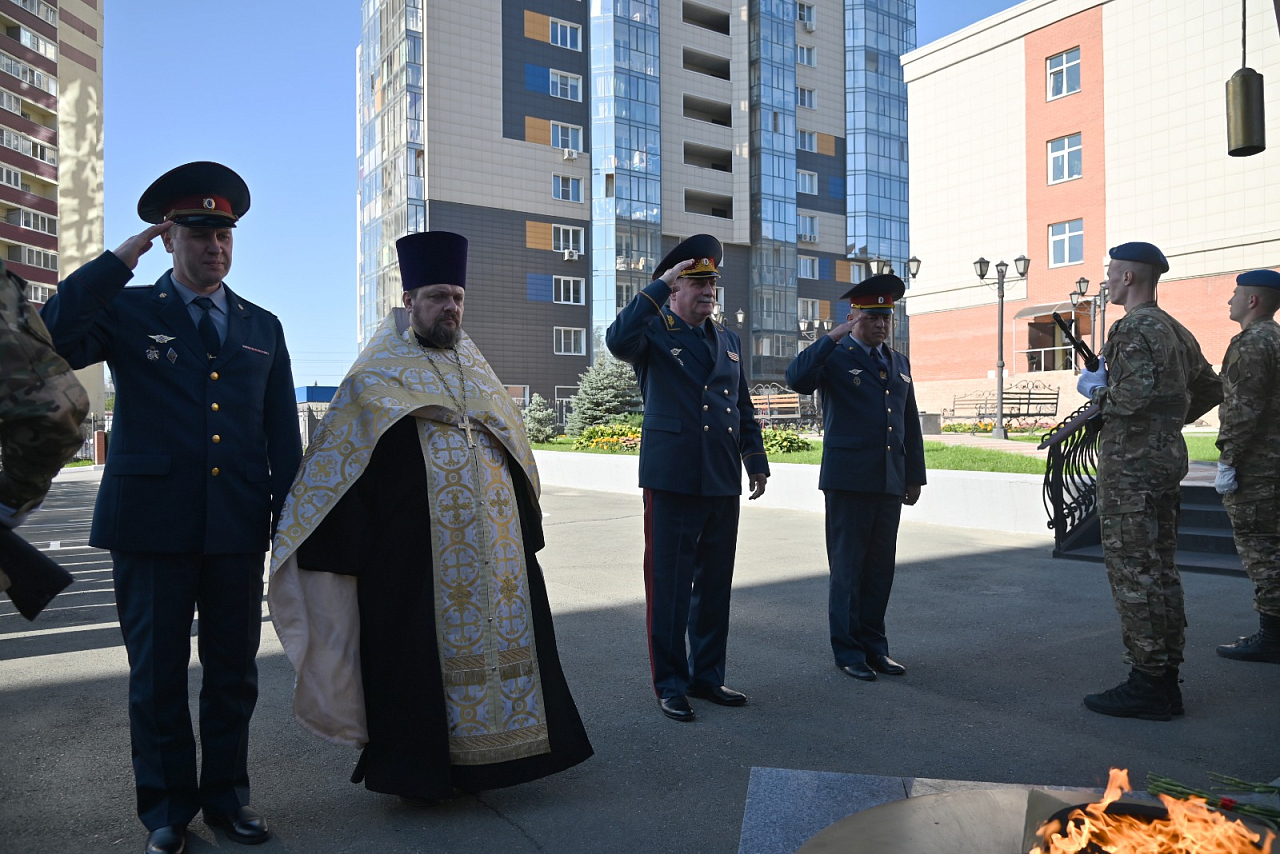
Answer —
691 544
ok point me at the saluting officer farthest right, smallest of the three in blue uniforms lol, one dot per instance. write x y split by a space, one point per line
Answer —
872 464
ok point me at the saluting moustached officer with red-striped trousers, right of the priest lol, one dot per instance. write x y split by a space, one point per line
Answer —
700 432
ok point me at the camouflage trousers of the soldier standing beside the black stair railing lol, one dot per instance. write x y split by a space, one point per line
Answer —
1140 538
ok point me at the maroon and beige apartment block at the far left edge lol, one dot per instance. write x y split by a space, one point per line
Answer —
52 158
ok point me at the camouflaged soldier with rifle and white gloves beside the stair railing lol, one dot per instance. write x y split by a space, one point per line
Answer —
1151 382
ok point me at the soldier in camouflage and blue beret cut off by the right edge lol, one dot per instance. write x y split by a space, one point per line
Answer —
1249 472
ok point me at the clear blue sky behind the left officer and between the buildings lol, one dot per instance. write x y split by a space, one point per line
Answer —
269 89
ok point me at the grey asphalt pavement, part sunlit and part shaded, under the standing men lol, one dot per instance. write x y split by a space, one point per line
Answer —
1000 641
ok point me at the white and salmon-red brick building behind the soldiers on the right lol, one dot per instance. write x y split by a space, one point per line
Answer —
1057 130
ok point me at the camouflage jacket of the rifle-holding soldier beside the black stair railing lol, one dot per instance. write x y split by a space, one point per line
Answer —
1158 381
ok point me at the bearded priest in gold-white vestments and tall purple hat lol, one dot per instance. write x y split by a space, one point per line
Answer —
405 586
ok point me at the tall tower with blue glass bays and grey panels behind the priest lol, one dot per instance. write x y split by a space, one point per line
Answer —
577 143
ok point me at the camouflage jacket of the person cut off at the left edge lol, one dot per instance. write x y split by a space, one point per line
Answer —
42 403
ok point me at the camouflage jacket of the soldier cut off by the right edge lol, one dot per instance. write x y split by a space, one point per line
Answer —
1250 432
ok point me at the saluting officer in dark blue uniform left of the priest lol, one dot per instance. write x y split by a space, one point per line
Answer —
204 447
